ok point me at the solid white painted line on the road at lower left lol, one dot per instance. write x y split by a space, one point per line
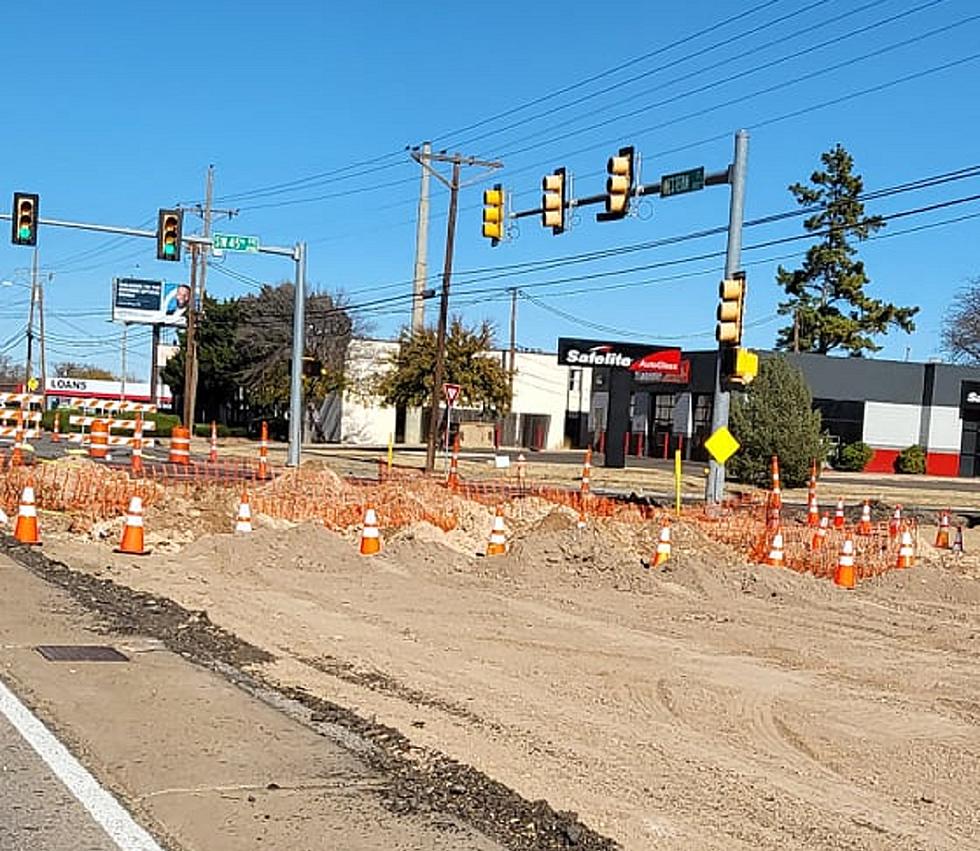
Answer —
102 806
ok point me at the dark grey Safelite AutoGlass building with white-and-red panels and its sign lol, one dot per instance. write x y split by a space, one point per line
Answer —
890 405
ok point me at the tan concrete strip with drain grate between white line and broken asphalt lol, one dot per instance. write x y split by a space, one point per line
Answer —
198 762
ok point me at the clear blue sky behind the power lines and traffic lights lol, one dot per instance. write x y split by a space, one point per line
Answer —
114 109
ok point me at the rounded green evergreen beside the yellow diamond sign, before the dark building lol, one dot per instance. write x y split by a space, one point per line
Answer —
775 416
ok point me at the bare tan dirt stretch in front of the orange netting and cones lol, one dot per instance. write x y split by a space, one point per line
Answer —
712 705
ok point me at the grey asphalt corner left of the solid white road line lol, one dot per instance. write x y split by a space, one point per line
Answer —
36 810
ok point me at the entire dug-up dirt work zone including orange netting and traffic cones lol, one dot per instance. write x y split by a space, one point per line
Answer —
707 680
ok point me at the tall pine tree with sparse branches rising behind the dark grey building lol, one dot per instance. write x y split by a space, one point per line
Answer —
826 296
